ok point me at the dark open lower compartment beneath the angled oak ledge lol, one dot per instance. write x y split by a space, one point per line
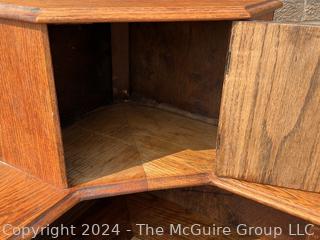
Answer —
186 213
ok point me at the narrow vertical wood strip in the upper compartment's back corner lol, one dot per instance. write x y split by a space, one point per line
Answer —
120 60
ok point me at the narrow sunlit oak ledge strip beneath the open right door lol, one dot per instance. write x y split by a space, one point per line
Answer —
304 205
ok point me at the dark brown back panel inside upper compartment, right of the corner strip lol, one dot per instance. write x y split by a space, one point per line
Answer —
181 64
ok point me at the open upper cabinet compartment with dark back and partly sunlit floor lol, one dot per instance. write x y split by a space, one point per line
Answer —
165 128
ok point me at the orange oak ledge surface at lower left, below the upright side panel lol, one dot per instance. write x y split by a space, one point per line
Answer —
26 201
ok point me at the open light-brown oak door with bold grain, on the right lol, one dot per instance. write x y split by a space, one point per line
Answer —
269 124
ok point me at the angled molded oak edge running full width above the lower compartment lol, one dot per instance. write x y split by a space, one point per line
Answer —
298 203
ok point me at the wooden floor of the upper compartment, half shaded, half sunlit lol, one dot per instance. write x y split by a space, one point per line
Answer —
127 144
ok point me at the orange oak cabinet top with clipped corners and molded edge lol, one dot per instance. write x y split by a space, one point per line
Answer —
65 11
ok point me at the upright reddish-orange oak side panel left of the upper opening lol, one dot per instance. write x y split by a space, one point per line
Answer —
30 132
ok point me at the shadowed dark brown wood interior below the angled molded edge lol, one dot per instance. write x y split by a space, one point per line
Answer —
187 206
